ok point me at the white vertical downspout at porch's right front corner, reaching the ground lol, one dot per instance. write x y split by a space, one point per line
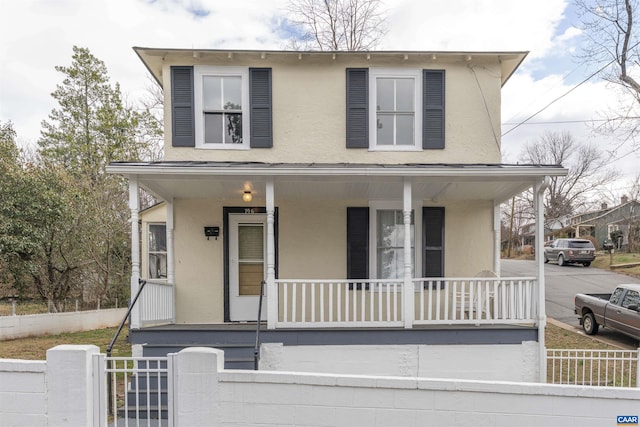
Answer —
540 188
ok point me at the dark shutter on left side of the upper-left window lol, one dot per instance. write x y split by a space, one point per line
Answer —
182 119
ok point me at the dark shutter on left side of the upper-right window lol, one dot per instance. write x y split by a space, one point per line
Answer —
357 108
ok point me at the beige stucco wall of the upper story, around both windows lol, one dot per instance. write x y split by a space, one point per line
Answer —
309 116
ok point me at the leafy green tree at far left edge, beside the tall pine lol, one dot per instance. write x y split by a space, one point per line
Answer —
38 225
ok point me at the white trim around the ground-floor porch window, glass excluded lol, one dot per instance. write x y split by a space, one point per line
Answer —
374 206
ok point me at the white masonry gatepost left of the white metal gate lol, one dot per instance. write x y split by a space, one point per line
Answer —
69 385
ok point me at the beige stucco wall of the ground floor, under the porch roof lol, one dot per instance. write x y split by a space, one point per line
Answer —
311 245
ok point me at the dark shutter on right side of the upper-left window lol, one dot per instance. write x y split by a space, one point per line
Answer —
261 128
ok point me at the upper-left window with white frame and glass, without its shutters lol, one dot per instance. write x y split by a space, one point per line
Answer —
221 103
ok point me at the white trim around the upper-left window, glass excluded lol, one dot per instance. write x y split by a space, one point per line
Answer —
207 70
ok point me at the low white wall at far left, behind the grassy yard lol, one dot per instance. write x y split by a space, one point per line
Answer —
12 327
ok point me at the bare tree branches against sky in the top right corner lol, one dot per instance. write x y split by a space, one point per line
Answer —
614 47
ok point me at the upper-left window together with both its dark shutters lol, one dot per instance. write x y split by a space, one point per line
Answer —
221 107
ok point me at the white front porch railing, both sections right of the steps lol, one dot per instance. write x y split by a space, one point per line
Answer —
380 303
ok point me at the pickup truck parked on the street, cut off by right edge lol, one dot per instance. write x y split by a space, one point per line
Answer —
619 310
